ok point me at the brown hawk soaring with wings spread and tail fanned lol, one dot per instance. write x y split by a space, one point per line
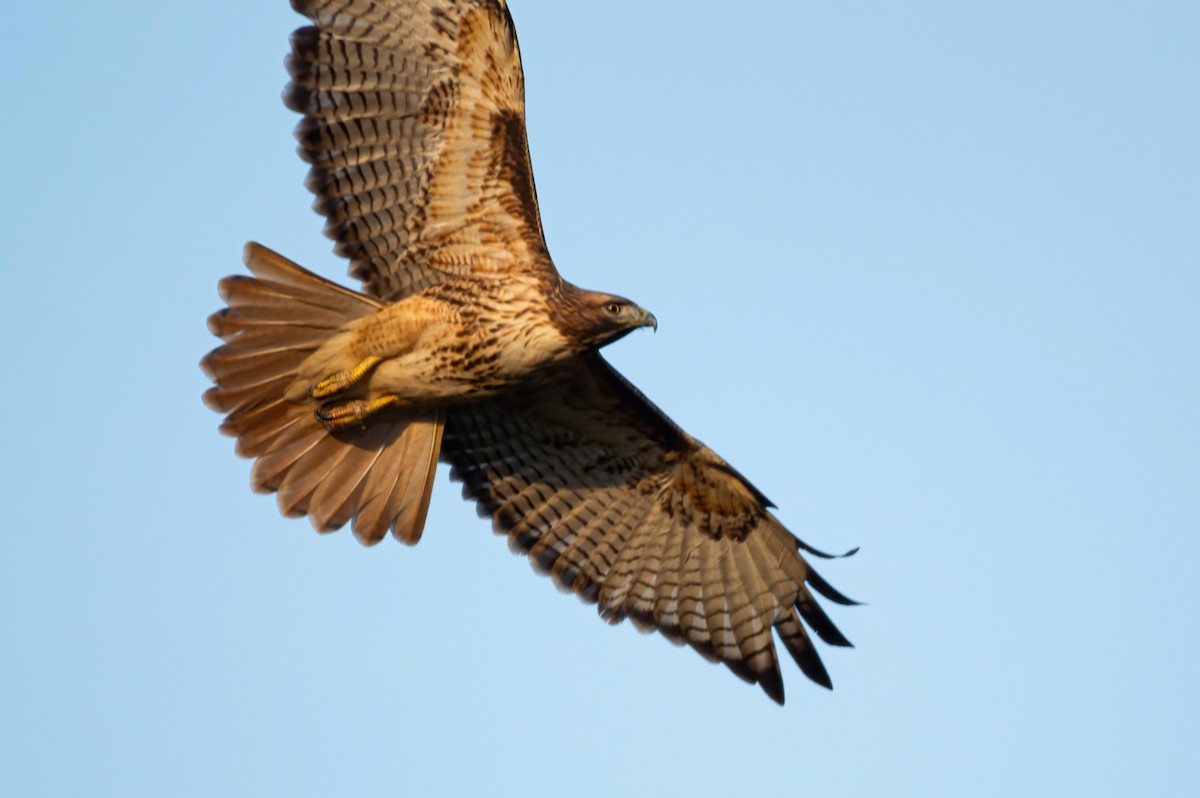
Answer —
467 346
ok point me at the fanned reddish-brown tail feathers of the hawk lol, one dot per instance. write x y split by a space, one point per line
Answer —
379 478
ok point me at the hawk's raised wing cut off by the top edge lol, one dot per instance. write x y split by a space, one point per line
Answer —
415 127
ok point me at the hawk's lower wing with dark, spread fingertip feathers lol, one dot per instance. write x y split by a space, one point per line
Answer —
621 506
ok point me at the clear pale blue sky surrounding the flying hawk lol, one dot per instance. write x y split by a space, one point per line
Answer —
927 273
